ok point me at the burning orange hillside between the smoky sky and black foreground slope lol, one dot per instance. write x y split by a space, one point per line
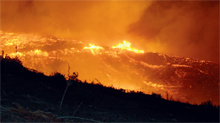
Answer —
120 66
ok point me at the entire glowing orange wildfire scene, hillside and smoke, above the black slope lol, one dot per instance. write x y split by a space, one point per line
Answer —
139 45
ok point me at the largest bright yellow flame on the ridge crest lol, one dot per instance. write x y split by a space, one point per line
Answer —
127 46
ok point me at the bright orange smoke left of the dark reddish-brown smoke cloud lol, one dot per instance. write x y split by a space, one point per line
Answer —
100 22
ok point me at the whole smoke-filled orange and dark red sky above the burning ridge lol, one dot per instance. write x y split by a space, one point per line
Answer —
183 28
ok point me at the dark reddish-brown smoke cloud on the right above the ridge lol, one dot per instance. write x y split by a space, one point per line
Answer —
183 28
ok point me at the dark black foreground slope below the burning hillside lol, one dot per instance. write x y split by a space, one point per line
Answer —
27 95
